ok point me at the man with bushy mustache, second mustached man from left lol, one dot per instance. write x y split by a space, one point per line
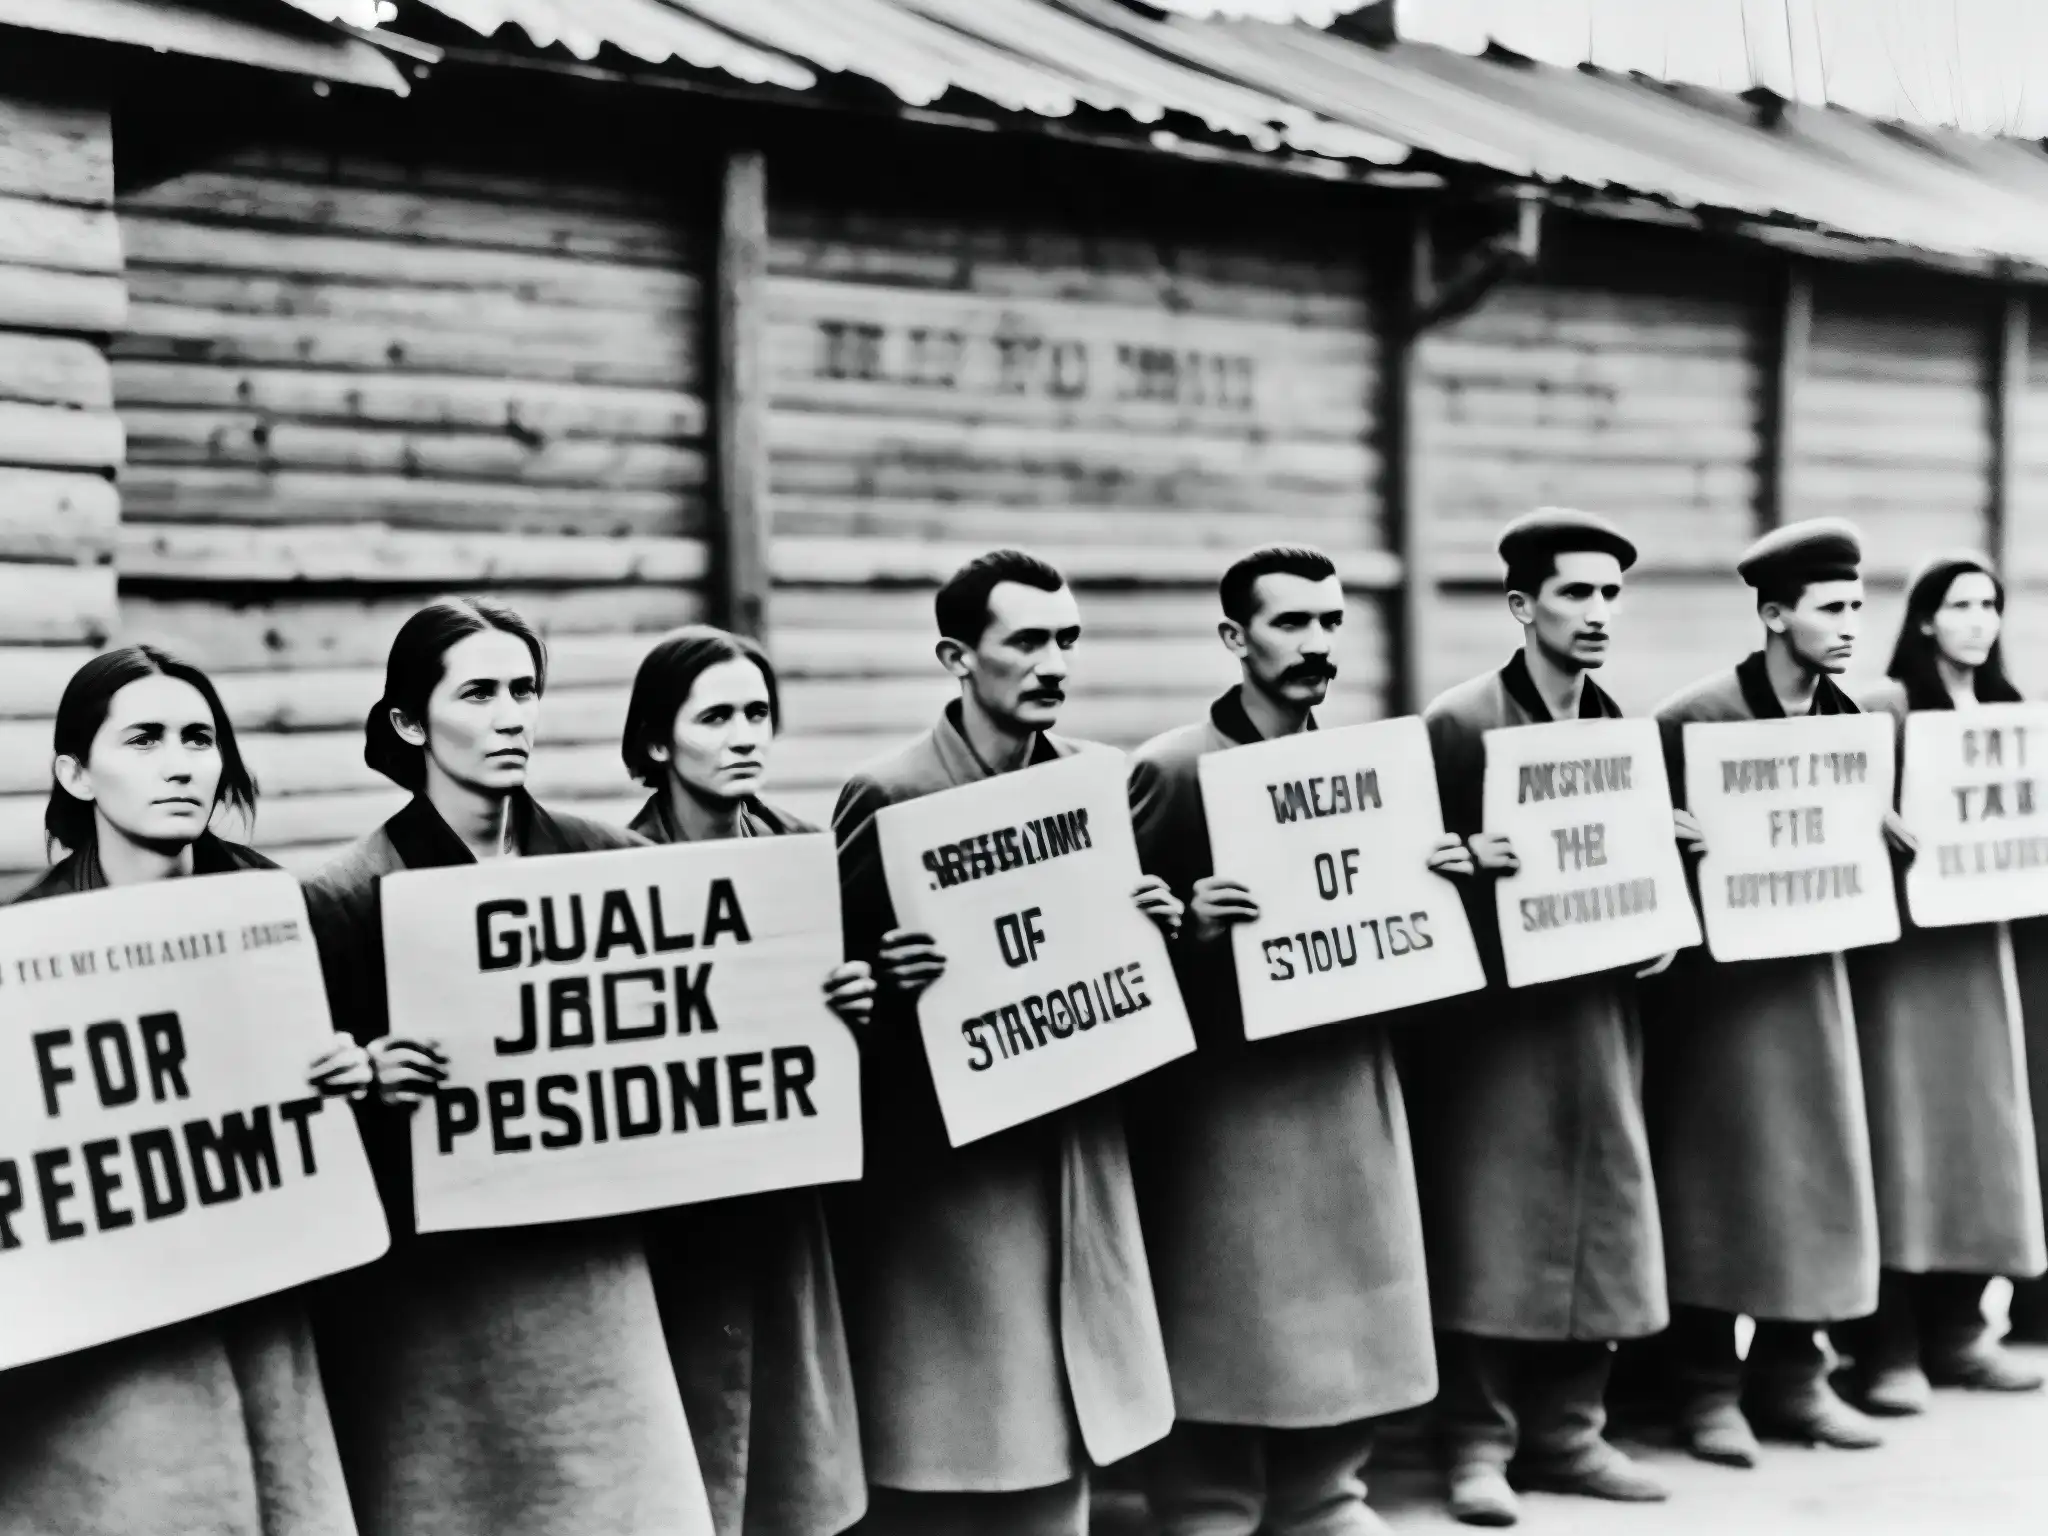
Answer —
1275 1179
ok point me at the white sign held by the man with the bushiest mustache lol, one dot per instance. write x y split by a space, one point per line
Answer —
1330 833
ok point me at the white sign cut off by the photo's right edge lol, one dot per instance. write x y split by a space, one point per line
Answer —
1975 794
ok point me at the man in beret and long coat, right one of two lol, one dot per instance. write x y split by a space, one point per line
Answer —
1754 1086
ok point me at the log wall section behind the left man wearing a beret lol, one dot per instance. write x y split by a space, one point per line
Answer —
1621 382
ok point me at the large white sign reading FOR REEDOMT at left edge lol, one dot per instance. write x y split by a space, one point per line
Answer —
161 1150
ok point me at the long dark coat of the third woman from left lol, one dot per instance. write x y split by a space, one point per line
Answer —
753 1314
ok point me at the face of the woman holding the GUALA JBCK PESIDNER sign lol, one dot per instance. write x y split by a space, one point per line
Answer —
482 716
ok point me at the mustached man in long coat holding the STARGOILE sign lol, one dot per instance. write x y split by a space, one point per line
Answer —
998 1304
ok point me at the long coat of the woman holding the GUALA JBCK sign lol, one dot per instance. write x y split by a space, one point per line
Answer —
501 1383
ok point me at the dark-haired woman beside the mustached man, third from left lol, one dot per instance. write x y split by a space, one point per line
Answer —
746 1285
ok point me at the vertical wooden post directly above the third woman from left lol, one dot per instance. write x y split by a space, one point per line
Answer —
740 398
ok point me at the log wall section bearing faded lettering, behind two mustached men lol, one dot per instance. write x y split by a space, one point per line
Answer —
1134 409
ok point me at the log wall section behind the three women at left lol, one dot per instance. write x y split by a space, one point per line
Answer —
355 384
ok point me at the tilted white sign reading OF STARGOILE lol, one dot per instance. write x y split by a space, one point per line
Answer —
1058 988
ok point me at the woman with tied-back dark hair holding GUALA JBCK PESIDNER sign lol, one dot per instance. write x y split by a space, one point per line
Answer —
509 1383
